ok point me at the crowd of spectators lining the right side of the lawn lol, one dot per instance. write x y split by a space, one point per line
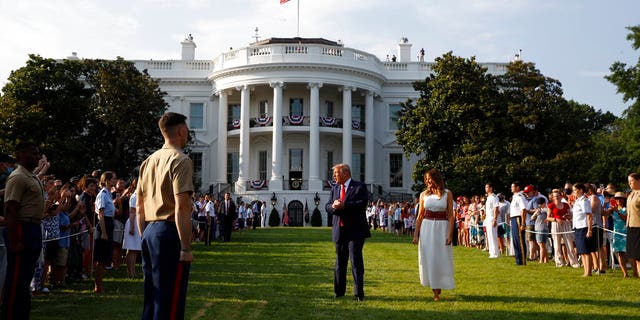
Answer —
549 223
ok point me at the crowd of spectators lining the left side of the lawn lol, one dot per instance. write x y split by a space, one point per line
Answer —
71 226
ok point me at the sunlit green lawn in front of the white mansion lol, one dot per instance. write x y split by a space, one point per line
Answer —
287 274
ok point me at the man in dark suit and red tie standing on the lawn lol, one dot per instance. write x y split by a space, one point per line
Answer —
348 204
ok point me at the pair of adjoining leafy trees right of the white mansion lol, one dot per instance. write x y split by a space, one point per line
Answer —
479 128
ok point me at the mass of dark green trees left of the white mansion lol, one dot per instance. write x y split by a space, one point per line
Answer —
85 114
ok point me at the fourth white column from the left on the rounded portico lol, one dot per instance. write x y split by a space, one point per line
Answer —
315 184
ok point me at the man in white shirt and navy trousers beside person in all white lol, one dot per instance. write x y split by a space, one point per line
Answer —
517 213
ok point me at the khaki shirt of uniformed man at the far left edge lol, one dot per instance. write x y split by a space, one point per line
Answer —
25 188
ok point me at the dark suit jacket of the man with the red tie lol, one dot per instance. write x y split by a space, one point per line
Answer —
354 217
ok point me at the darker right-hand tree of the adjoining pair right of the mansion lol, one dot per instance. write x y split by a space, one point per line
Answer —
549 136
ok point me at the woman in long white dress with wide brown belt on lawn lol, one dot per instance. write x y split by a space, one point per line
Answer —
433 234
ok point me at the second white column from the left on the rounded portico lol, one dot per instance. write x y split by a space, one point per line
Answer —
243 172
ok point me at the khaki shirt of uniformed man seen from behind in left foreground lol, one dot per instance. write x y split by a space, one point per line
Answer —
163 174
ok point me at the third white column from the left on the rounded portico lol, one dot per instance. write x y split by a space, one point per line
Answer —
275 184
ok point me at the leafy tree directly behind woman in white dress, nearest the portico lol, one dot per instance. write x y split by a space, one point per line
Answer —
454 106
